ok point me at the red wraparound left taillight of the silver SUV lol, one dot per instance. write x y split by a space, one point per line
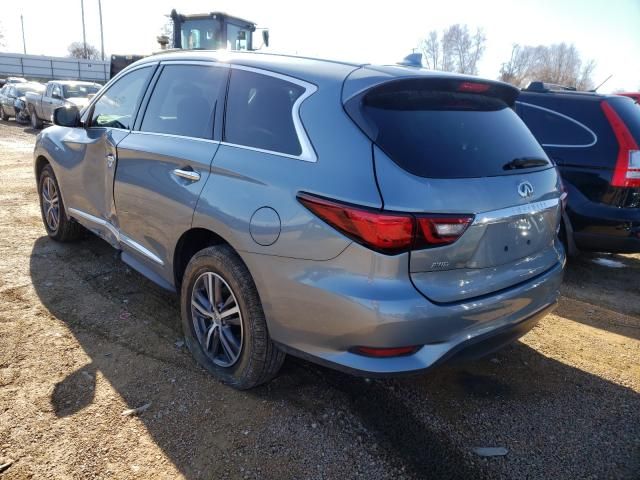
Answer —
387 232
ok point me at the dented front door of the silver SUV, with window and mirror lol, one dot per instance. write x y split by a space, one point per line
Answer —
89 187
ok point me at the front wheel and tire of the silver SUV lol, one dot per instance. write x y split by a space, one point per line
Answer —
54 216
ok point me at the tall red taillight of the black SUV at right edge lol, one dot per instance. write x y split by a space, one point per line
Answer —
627 170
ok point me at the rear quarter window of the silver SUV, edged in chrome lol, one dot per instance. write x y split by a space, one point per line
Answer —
259 112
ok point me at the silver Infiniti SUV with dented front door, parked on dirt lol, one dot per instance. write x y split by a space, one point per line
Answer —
375 219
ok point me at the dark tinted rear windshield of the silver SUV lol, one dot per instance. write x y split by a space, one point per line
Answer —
448 134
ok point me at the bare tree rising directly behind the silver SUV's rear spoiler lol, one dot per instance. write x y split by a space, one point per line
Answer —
456 50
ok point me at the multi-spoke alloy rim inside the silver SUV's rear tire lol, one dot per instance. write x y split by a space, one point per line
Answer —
217 319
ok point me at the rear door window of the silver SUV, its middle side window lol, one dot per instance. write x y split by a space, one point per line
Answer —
183 101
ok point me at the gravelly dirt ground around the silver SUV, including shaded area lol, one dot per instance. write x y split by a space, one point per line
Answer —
83 338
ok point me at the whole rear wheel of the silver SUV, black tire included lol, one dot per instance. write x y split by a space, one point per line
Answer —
223 321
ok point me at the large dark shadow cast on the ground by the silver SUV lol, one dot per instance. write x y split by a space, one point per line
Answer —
557 421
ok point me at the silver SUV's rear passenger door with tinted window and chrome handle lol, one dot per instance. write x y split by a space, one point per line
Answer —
164 164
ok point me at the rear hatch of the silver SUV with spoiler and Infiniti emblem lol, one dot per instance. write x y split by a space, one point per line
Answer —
450 149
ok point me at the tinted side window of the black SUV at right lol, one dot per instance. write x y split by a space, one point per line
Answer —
551 128
